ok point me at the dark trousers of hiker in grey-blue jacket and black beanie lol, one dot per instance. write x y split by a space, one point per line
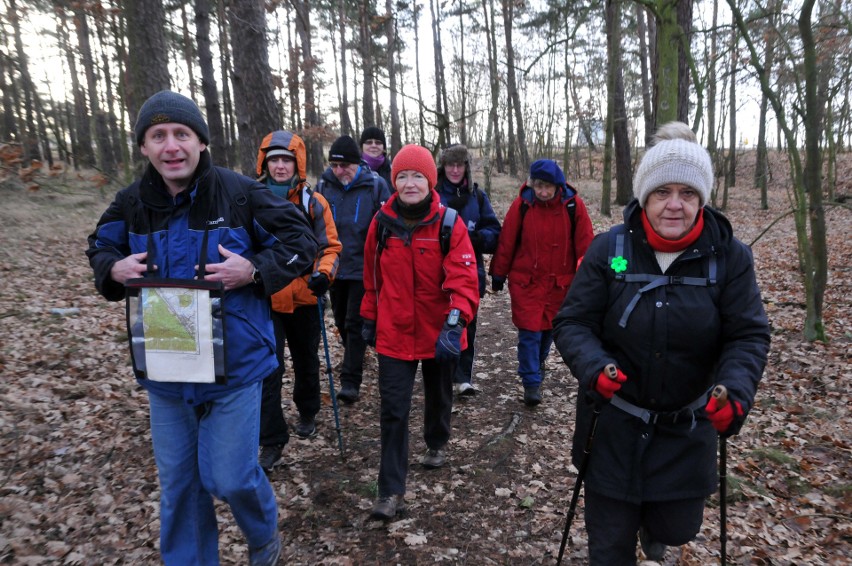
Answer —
346 303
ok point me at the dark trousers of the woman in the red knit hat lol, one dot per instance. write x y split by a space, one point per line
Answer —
396 384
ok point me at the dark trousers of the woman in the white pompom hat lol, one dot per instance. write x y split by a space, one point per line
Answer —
613 526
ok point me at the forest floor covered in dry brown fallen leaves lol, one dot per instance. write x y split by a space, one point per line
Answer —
78 484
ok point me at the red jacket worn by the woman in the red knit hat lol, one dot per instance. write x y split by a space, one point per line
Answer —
410 285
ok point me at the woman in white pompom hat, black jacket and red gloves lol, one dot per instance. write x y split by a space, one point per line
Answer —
663 309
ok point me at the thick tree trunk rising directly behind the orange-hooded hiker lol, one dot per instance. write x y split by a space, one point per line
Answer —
253 96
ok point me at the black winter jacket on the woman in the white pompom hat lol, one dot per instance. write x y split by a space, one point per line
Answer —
679 341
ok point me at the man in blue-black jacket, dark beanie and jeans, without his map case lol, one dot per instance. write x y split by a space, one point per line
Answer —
184 212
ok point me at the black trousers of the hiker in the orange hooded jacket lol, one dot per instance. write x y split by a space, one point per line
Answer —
300 330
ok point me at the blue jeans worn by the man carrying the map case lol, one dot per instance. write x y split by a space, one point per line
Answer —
203 452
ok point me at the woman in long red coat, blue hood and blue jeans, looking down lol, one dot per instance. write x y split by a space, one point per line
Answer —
545 234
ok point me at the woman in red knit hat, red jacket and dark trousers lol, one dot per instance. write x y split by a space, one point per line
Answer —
417 300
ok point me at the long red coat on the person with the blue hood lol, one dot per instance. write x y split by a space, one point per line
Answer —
541 263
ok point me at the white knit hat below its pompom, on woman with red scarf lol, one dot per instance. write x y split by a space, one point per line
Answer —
674 161
